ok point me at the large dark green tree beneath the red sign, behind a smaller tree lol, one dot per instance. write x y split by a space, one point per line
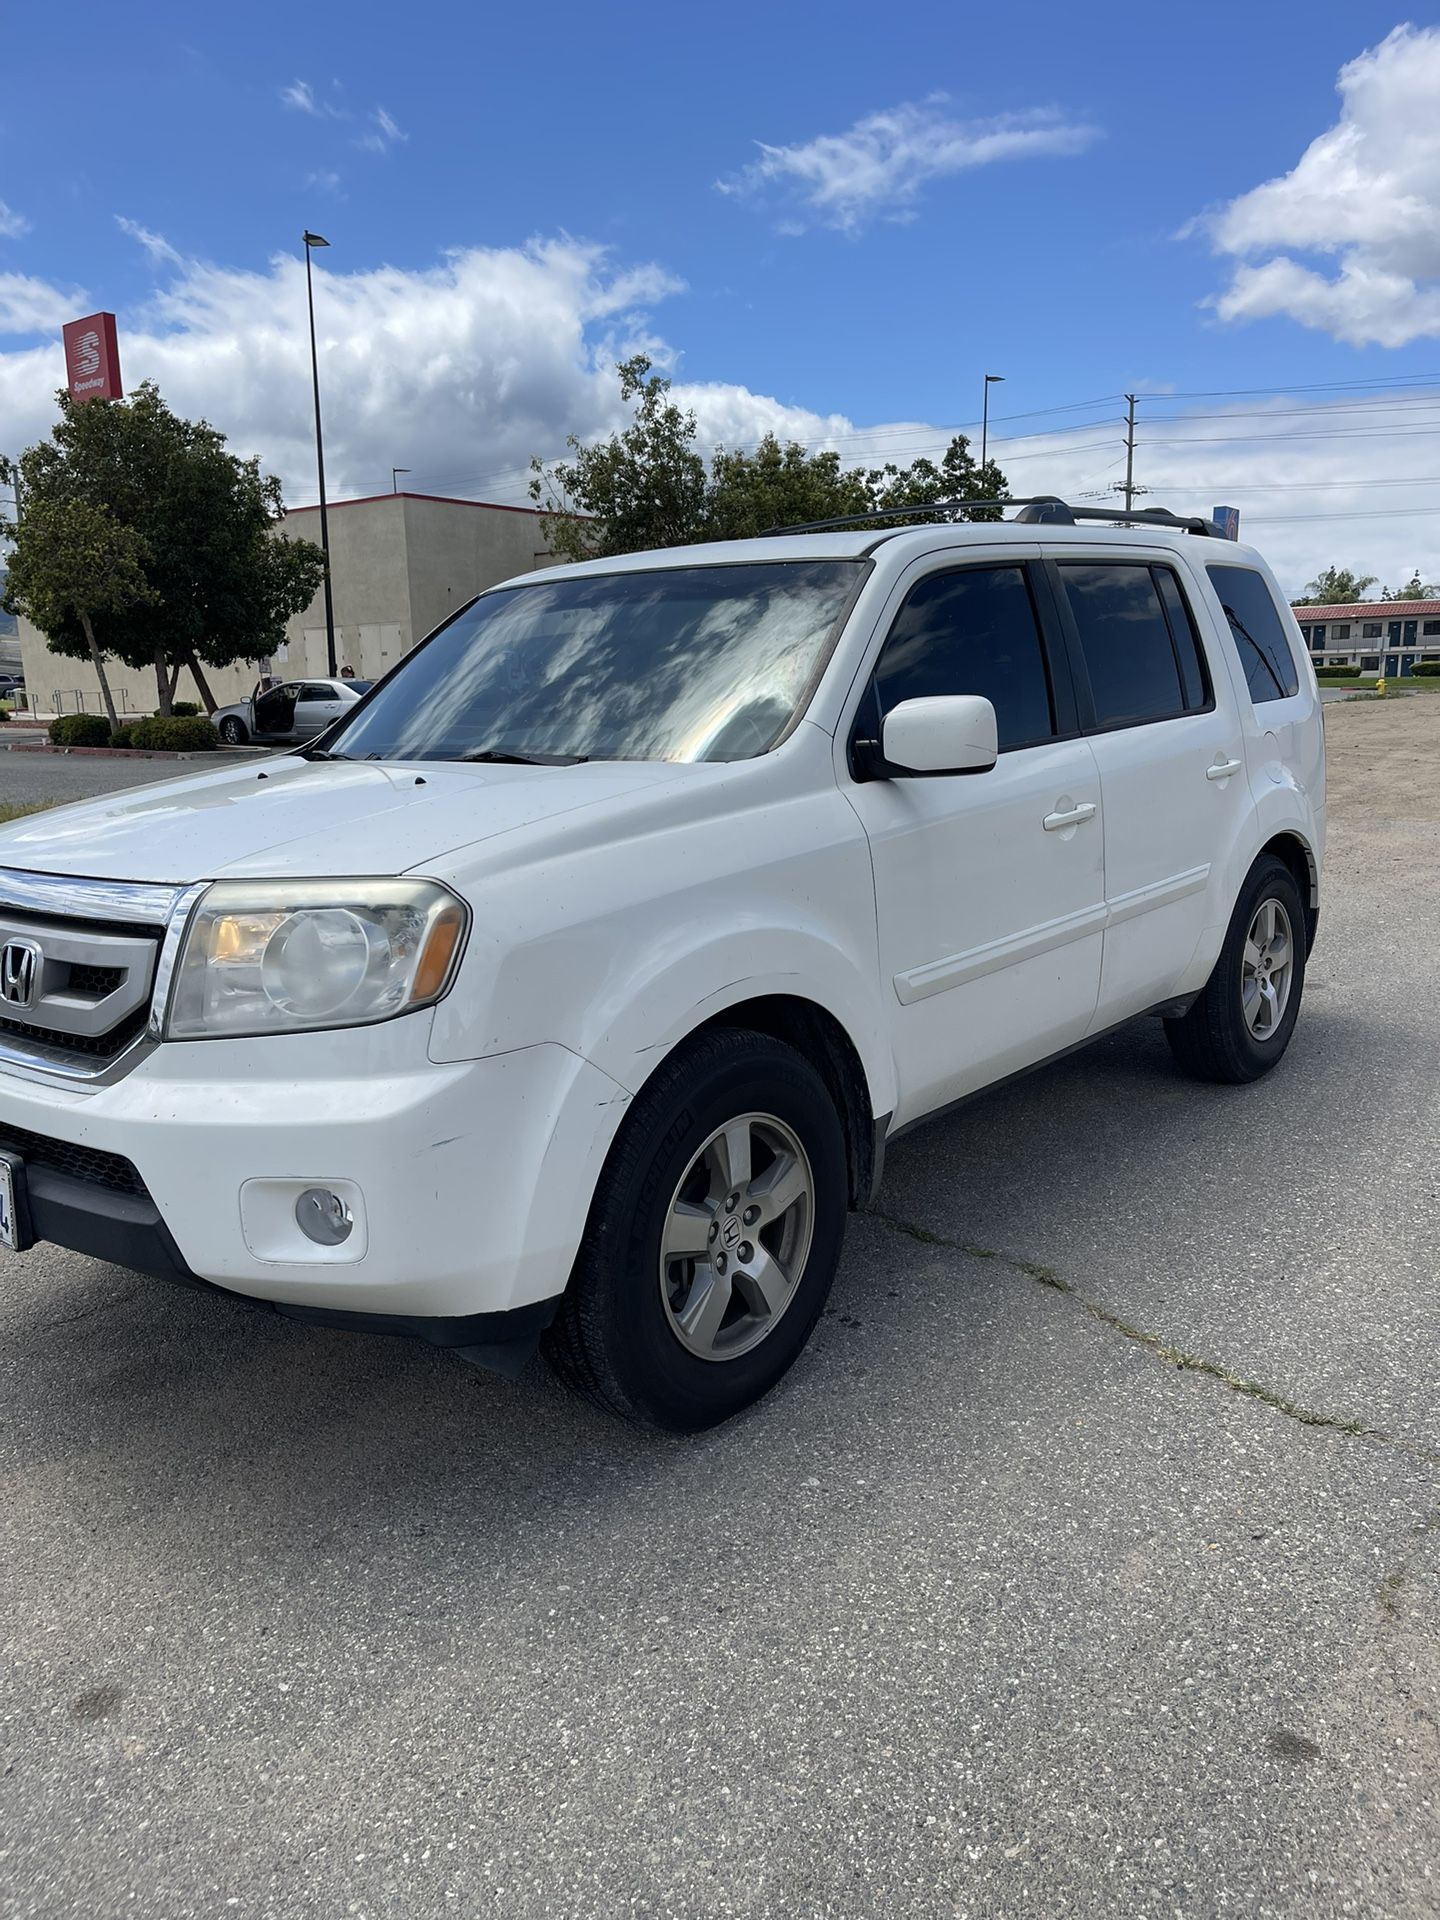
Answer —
222 585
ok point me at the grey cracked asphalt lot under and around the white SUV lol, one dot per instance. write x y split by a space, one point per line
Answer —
1090 1562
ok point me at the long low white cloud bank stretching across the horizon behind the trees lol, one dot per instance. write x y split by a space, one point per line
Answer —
469 368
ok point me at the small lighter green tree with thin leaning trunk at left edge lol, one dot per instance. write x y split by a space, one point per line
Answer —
78 564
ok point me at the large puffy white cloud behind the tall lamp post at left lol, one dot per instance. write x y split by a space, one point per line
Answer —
460 372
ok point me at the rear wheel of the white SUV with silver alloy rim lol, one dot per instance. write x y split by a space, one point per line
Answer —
1243 1022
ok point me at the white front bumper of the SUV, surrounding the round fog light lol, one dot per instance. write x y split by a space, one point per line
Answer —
471 1180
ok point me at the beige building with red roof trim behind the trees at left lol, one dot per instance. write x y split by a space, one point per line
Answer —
400 564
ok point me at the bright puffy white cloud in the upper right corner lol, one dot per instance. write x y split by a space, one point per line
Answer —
1362 203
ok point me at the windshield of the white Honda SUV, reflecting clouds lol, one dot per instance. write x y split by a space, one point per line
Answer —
688 663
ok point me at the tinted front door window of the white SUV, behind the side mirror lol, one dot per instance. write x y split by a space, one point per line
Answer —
972 633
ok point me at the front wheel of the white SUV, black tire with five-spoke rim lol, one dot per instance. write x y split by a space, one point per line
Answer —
713 1237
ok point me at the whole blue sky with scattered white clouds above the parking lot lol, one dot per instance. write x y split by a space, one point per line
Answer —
828 222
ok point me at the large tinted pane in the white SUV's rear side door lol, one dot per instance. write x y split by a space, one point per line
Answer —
1126 642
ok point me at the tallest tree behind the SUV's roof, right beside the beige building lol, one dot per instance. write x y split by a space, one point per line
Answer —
640 489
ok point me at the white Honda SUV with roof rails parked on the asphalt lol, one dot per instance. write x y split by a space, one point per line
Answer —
575 982
